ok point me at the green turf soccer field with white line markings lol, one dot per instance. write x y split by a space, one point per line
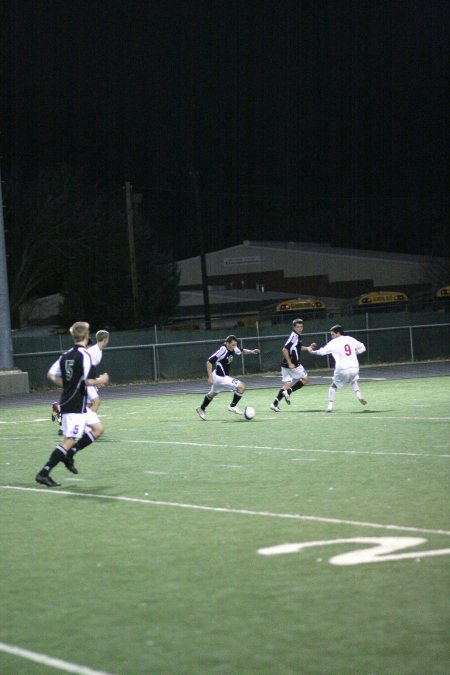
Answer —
164 555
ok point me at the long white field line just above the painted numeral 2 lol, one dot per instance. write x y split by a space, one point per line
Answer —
222 509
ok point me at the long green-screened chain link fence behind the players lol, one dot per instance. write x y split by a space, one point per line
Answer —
130 358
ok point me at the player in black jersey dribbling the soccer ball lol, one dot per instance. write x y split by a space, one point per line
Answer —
218 367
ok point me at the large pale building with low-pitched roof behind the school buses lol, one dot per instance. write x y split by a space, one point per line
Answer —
310 269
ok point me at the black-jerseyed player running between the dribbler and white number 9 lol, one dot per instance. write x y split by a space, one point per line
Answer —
293 374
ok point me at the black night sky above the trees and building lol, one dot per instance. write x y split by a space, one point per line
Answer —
307 120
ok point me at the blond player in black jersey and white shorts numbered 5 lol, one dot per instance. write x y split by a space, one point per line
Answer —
73 371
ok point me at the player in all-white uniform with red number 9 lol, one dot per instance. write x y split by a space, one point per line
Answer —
344 349
